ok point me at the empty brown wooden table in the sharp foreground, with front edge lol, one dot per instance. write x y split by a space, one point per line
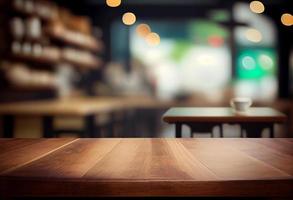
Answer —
146 167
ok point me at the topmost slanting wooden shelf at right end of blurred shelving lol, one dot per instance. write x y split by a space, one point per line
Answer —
85 42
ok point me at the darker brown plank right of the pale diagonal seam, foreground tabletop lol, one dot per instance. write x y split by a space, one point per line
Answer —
72 161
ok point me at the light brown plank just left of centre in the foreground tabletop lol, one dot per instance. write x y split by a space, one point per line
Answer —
121 162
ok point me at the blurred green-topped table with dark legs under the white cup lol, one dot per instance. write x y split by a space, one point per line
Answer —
205 118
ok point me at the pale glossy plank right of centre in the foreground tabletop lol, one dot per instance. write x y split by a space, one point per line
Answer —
229 164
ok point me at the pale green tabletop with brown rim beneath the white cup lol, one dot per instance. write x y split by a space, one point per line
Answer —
222 114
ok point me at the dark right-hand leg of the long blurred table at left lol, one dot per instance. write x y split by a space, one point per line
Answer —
90 129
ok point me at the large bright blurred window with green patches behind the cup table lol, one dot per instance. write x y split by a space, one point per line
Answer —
192 57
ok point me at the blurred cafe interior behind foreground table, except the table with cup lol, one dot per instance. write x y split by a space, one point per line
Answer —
123 63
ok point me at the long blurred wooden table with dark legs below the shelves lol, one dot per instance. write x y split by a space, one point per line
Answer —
86 108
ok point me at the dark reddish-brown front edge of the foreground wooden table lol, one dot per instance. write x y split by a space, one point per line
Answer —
95 188
